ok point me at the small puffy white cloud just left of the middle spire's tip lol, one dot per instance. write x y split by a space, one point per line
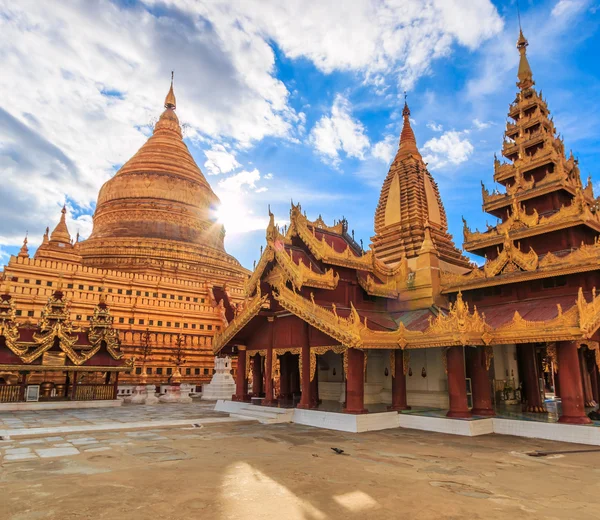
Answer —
339 132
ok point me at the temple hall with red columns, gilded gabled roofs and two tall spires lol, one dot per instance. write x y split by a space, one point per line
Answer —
411 322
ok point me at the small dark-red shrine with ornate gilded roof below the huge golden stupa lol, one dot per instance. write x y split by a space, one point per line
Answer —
55 361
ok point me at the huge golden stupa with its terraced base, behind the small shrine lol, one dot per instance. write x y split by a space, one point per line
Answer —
155 258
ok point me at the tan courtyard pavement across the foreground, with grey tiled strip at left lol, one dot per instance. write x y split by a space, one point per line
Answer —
245 470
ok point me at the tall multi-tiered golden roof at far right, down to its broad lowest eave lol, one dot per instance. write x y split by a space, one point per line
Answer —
548 221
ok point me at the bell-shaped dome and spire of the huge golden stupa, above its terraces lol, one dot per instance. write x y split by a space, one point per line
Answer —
158 211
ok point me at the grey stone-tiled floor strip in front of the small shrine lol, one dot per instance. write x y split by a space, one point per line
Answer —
93 416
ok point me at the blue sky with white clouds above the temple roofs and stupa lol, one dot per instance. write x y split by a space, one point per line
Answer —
298 100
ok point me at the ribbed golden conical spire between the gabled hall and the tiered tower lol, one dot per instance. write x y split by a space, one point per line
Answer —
409 202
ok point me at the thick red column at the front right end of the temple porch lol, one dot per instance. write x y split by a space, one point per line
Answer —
571 390
